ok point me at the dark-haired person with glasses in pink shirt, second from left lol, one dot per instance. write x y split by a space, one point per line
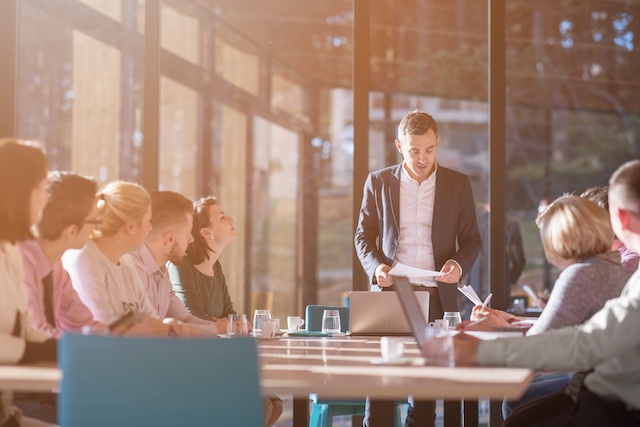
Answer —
66 223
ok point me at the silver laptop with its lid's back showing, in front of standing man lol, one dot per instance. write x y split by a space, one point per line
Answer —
380 313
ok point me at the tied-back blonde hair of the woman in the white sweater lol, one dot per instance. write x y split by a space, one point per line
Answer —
120 201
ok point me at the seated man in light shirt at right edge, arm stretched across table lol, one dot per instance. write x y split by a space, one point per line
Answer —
607 346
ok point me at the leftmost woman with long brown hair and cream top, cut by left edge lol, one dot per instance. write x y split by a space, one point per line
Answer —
23 195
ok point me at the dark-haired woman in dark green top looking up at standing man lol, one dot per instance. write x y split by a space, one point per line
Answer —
199 281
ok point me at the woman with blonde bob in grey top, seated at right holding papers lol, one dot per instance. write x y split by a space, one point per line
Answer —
577 238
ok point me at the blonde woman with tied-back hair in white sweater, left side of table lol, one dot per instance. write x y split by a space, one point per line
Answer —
103 273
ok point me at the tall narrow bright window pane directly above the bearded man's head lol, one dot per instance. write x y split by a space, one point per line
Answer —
178 137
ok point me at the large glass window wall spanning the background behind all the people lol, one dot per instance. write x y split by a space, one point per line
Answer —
256 106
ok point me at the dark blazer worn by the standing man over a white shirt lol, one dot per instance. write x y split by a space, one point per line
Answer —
454 232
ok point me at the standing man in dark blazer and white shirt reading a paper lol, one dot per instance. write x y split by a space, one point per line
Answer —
419 214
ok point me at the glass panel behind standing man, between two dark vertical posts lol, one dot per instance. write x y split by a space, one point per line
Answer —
434 60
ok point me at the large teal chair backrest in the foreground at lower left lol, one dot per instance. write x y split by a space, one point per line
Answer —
125 381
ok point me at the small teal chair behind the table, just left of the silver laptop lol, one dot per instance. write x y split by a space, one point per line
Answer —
323 410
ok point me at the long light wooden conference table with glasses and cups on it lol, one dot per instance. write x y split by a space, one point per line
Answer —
337 367
